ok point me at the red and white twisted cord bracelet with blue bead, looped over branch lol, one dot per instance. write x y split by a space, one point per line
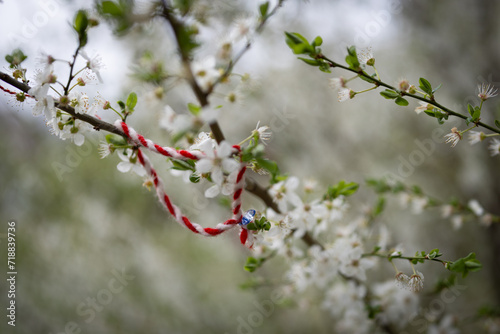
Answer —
164 199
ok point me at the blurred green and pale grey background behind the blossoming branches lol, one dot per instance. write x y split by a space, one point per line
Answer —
75 231
